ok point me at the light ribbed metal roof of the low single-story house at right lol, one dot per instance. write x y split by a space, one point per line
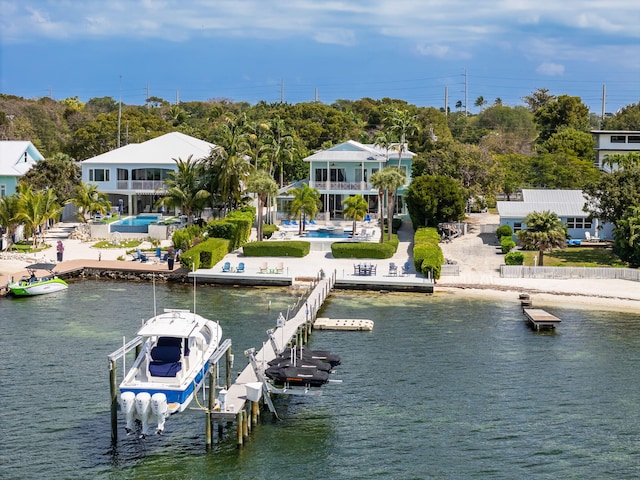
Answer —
564 203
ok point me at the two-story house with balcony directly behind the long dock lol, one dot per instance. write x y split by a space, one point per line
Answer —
345 170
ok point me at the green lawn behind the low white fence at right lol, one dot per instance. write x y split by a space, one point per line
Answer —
577 257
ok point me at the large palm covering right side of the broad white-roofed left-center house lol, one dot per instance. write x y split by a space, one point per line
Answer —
185 188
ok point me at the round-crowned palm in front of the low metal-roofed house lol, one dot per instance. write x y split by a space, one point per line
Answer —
544 231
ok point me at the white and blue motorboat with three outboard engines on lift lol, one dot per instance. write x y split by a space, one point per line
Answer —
177 346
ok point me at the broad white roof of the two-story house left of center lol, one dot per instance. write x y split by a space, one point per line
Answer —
160 150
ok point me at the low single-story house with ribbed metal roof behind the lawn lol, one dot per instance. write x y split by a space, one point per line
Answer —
567 204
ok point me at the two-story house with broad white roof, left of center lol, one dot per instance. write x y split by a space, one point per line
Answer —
133 176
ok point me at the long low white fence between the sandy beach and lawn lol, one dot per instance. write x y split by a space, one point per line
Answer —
519 271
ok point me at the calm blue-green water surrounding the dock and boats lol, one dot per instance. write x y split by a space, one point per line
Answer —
442 388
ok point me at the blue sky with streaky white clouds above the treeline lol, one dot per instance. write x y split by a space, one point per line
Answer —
246 50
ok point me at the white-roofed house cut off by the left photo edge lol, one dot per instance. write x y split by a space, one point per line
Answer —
16 158
